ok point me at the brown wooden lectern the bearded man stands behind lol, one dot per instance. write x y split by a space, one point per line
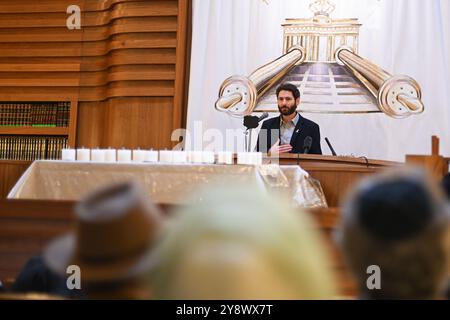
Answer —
337 175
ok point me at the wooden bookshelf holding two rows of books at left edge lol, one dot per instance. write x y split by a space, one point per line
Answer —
32 130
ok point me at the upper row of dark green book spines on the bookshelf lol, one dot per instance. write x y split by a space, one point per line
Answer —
34 114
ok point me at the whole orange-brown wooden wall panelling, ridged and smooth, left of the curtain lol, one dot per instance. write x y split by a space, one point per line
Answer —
126 67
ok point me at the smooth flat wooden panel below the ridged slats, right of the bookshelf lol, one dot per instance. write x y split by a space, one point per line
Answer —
114 123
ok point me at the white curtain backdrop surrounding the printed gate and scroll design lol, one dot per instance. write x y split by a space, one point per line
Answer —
409 37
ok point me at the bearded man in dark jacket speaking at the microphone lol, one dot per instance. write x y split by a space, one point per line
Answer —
288 132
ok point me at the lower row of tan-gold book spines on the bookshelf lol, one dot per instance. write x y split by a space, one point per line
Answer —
31 147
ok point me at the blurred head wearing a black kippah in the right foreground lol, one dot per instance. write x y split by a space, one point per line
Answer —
399 222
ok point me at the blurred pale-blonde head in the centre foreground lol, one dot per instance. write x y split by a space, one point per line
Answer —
239 242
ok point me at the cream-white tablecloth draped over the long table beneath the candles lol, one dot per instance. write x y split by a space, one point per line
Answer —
165 183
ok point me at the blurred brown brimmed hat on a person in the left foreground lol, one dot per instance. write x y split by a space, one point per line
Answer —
114 237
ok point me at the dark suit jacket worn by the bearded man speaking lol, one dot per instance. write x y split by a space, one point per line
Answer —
303 129
